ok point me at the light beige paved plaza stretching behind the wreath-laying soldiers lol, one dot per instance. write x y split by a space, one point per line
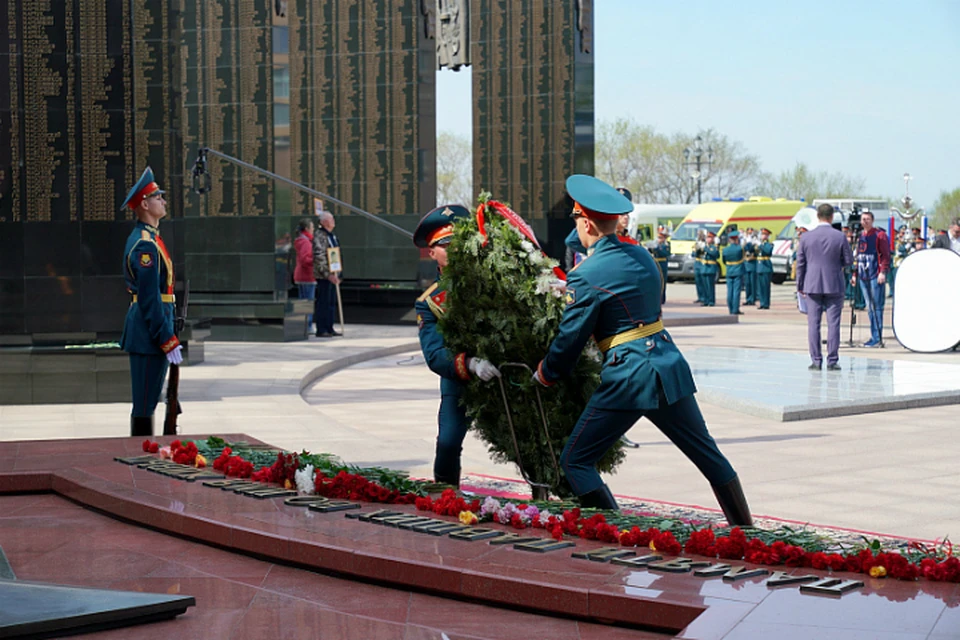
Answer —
369 398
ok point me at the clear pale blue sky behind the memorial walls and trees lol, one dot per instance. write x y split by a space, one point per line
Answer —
867 88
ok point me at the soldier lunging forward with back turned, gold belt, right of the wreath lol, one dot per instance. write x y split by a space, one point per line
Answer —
614 296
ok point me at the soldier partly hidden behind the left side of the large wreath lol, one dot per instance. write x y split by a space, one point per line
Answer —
434 233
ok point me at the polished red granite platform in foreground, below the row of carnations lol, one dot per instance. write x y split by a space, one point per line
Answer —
573 594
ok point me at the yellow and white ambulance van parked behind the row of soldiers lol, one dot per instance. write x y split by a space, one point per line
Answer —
721 217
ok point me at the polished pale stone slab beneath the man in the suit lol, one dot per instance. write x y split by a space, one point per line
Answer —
779 386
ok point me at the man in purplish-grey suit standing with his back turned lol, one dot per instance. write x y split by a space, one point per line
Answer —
821 257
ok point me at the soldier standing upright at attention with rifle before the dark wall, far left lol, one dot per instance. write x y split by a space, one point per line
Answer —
148 331
